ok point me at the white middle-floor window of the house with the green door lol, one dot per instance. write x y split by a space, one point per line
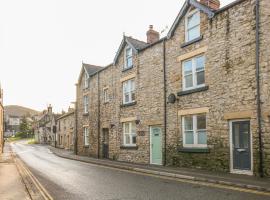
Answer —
129 91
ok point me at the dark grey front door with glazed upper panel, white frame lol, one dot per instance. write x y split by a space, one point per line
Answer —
241 145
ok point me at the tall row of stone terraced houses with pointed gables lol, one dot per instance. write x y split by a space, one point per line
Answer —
200 97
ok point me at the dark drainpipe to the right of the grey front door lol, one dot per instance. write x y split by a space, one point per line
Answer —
259 110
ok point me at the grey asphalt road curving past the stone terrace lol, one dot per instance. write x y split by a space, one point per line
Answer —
68 179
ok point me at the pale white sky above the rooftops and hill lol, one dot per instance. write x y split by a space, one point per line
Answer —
44 42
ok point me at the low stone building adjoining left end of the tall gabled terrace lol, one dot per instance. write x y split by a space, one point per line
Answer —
65 130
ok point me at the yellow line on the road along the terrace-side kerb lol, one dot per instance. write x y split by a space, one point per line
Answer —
189 181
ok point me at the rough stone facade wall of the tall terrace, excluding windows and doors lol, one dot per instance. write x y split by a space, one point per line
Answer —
228 44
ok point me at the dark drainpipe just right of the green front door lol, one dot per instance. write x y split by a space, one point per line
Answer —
165 102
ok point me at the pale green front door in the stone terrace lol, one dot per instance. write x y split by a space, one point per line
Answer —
155 145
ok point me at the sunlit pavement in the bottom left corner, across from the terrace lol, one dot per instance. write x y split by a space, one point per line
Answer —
11 183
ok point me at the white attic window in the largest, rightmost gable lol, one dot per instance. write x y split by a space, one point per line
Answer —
193 25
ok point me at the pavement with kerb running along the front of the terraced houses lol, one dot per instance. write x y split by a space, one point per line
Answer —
227 179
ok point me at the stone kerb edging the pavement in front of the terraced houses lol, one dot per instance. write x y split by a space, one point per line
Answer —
115 164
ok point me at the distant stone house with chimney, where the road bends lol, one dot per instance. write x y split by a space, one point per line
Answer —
45 127
